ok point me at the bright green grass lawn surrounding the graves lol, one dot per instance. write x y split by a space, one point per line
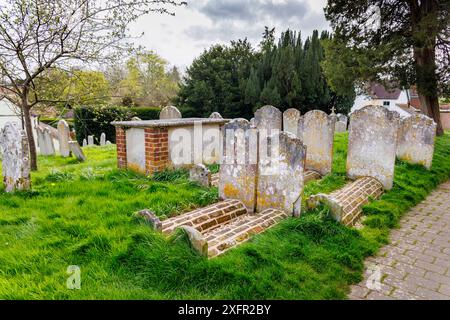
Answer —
82 214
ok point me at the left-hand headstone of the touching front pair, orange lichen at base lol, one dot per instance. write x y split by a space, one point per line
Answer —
239 167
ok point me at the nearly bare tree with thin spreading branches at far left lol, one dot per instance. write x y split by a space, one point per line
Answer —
36 35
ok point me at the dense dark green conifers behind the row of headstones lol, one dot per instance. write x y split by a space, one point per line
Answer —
236 80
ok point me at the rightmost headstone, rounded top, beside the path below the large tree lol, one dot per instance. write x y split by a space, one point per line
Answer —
416 140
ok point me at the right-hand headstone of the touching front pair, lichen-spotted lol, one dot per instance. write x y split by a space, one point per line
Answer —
283 188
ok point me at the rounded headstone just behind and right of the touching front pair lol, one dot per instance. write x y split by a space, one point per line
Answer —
316 130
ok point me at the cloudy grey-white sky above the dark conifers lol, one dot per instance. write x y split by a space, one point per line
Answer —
201 23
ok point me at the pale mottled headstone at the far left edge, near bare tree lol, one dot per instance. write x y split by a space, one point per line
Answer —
16 158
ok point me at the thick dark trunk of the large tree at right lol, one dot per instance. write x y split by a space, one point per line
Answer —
427 85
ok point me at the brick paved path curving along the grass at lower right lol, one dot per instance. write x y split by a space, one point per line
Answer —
416 265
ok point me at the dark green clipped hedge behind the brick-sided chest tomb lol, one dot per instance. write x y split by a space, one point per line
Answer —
93 120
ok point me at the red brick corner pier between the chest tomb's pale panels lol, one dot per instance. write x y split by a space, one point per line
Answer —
156 149
